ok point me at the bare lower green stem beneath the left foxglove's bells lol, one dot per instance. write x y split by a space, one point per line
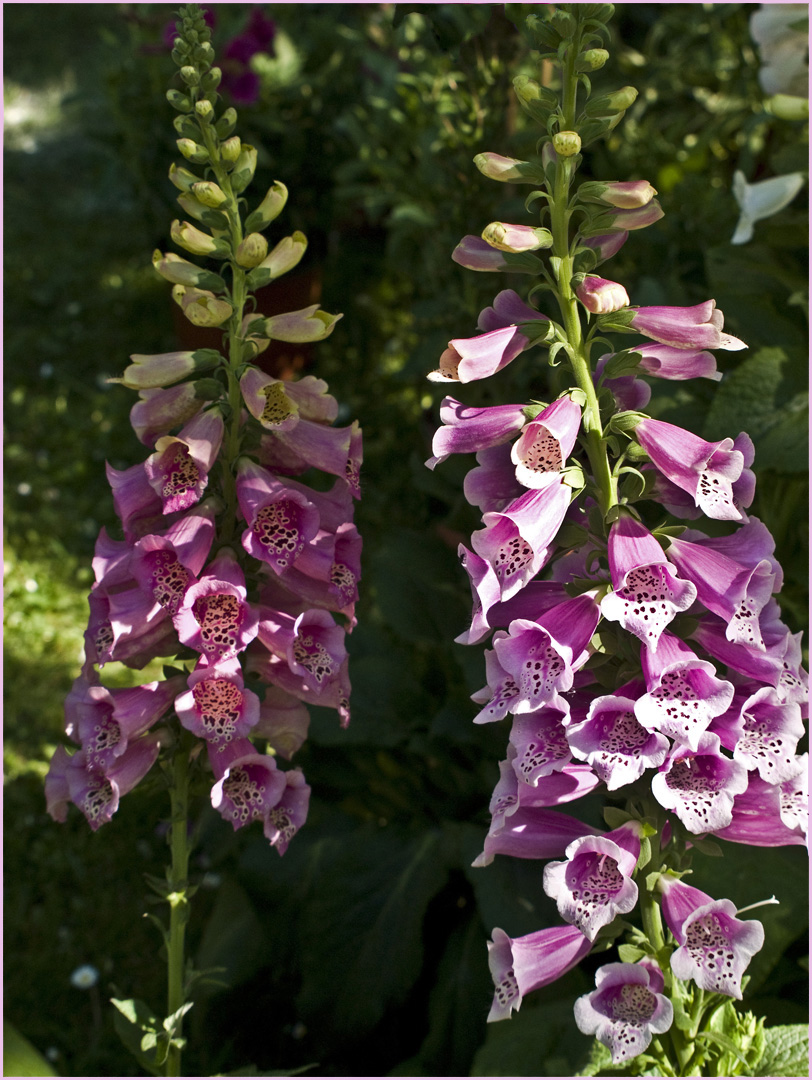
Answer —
178 898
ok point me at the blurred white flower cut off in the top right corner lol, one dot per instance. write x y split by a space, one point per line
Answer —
780 31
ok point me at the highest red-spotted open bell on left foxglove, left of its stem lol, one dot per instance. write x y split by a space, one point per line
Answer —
179 470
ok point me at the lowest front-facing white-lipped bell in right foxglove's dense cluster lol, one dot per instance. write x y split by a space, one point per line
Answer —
699 786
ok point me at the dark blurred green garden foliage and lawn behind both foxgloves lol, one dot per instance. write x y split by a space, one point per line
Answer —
364 950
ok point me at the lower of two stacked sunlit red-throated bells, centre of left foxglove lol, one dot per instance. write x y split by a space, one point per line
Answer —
216 707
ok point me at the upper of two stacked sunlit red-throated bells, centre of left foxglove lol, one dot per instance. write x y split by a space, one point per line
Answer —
215 618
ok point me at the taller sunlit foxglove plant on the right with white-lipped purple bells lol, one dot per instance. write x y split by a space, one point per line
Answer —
632 656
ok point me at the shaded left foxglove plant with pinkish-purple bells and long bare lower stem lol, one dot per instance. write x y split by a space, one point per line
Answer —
231 562
